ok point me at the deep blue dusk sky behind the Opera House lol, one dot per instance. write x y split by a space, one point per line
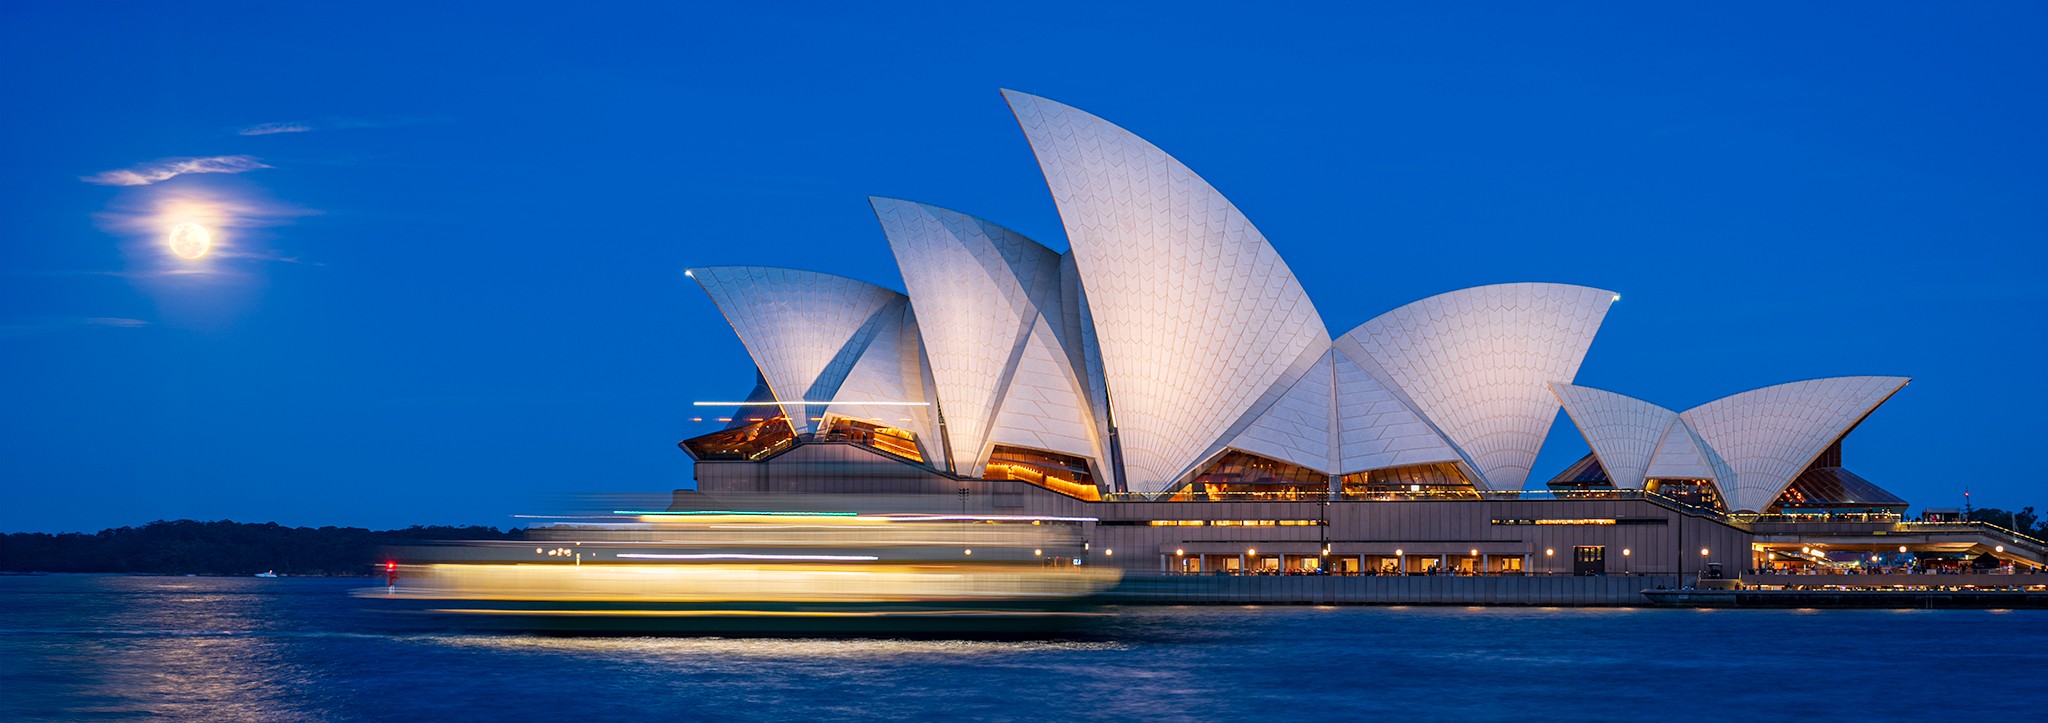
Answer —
458 292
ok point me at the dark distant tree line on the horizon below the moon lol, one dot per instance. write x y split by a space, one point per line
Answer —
224 548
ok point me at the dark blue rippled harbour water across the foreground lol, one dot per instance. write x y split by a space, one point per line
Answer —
288 650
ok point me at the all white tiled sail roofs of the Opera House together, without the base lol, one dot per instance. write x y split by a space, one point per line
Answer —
1172 331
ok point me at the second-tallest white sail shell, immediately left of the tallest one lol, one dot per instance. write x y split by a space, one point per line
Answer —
988 300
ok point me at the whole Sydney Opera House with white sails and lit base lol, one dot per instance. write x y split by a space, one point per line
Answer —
1170 382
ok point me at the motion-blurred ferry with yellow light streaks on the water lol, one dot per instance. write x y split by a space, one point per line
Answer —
761 572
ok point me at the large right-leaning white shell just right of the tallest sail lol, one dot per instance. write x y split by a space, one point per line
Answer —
1480 364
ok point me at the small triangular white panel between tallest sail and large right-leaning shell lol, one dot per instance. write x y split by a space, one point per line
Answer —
1377 429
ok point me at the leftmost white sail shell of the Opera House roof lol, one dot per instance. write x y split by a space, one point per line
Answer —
806 331
